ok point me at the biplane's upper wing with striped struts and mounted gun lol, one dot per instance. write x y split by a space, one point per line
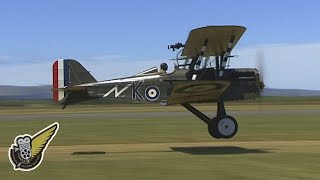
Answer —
207 51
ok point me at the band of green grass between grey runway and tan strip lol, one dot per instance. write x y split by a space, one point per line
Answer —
158 130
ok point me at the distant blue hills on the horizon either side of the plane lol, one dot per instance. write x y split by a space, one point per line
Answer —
44 92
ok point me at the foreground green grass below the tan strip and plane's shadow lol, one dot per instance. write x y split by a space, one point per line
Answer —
175 165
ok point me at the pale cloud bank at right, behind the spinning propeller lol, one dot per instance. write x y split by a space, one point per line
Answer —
294 66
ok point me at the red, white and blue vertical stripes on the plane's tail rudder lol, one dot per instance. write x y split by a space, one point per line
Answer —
60 69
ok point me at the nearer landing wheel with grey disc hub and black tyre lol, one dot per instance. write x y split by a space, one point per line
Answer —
227 127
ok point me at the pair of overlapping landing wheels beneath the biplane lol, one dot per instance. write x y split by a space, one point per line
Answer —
226 127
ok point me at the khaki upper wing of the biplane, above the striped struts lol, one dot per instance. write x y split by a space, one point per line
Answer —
218 39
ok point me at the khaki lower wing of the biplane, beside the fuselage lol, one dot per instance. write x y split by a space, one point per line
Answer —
197 91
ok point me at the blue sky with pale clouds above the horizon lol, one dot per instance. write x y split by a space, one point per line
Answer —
120 38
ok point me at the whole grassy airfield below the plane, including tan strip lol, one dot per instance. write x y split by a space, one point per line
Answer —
267 146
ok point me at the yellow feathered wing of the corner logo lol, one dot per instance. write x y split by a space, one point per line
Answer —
40 141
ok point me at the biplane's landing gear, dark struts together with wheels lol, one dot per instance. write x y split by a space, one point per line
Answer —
221 126
